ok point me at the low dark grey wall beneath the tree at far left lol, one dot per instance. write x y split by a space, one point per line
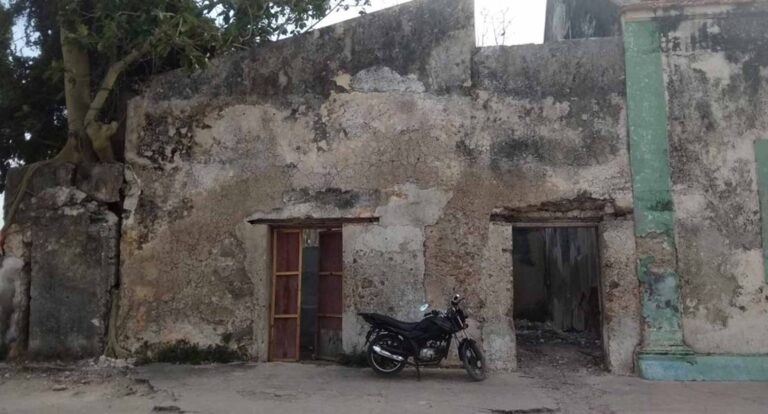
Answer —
60 264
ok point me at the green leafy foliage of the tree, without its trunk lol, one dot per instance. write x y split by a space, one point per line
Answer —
170 33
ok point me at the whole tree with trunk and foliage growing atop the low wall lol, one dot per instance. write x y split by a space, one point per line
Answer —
61 104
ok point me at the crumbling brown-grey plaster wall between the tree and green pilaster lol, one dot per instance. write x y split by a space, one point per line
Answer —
379 117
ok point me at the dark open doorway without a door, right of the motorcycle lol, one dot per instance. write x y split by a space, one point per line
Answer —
557 307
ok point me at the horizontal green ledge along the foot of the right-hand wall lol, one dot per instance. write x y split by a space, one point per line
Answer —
703 367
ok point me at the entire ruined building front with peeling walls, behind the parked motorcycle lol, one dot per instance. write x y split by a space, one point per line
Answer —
387 161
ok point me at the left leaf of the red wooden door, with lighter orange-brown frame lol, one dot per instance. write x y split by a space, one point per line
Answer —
286 295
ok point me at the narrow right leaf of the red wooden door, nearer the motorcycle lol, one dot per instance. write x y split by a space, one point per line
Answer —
330 299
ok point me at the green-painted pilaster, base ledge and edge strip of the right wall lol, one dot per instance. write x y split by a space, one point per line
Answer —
664 356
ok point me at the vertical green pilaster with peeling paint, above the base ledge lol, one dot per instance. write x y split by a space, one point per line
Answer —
654 209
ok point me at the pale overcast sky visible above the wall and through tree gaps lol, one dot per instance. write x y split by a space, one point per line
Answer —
509 22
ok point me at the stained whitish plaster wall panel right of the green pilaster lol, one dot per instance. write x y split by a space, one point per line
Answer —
716 70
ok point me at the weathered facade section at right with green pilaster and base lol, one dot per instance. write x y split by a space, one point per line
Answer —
699 237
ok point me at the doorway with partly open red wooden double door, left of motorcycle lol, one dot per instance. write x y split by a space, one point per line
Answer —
307 298
